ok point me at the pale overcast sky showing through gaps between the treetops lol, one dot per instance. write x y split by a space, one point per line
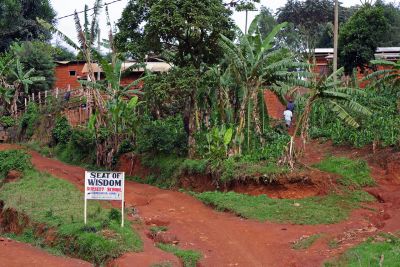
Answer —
66 7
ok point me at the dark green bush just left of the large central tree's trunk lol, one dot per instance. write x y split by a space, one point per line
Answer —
164 136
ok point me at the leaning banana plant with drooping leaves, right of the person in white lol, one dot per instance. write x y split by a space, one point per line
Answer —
327 90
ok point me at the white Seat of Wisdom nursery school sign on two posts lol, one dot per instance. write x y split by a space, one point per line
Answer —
101 185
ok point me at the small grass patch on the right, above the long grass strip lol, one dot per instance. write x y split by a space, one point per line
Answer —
353 172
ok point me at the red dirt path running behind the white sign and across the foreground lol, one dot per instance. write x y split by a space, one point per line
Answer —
226 240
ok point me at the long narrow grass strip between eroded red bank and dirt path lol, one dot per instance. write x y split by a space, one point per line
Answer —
313 210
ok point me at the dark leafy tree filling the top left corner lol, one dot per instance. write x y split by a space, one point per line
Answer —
18 21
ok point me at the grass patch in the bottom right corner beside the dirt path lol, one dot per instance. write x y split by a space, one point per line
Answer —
371 253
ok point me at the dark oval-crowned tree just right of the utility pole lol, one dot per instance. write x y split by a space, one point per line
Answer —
360 37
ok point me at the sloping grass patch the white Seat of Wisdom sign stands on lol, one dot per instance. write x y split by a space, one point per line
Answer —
59 205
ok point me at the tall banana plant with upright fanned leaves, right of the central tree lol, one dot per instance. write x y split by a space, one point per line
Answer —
255 64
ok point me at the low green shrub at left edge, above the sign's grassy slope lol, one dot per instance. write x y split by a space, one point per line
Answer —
14 160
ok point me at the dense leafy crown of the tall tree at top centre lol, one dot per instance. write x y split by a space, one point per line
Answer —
186 31
